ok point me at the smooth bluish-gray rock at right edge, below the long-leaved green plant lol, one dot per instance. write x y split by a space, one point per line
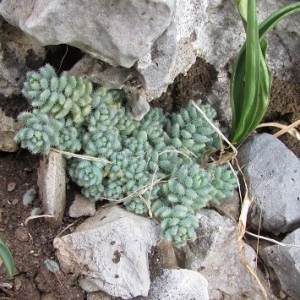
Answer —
272 173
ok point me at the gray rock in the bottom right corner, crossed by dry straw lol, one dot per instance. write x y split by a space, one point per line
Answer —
286 264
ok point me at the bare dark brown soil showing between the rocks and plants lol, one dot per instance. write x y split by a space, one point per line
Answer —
31 245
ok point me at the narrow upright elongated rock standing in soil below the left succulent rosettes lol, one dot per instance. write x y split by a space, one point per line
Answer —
52 187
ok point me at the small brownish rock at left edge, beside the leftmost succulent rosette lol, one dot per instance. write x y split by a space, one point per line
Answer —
8 129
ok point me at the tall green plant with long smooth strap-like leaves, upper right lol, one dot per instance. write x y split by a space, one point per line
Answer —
251 78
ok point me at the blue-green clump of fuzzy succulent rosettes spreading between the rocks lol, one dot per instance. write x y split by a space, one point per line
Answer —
153 166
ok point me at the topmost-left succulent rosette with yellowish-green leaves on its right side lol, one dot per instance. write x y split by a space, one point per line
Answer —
58 96
